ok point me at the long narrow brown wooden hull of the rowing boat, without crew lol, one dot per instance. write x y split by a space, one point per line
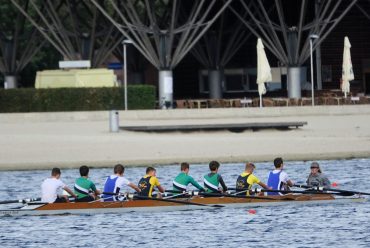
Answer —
151 205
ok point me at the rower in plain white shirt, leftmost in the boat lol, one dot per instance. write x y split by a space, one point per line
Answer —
51 186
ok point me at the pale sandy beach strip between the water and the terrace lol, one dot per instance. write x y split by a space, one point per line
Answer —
68 140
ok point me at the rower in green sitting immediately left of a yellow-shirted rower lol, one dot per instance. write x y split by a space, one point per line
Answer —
213 179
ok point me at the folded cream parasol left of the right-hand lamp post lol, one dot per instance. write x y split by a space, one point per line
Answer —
263 69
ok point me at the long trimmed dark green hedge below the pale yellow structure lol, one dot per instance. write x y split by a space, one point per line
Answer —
76 99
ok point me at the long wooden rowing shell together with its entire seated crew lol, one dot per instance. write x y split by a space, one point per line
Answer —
215 194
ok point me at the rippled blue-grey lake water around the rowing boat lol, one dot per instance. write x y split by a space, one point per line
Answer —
331 225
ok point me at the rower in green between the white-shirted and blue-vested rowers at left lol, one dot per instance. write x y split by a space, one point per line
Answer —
83 186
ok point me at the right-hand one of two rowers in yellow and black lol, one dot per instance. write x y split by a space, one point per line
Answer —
246 180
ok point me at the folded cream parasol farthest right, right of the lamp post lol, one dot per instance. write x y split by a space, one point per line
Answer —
347 70
